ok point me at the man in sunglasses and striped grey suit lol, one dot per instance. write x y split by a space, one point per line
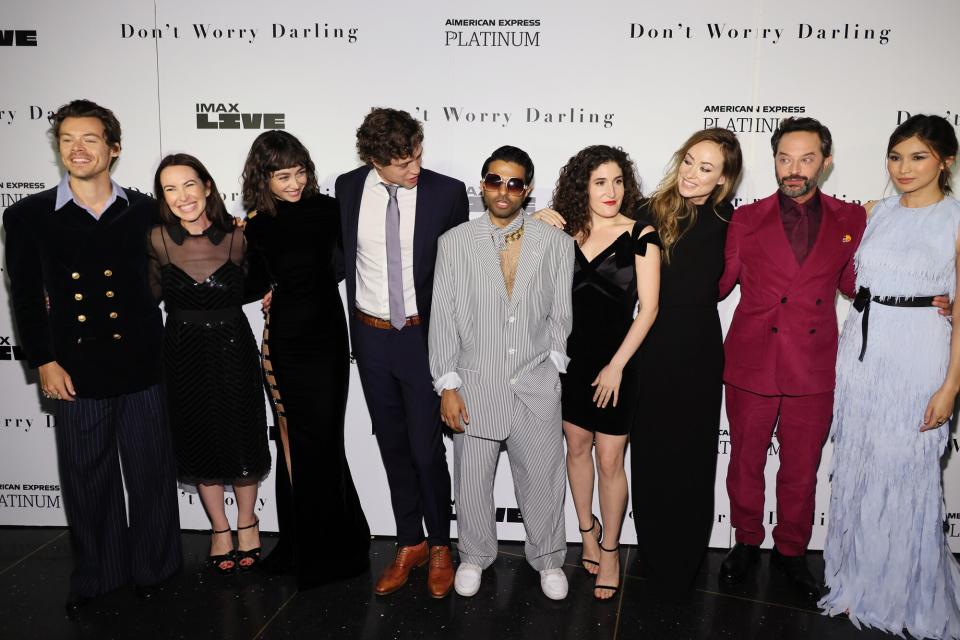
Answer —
498 336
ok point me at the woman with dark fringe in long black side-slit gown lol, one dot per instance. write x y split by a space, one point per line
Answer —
296 232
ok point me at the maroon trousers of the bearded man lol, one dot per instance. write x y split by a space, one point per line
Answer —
803 423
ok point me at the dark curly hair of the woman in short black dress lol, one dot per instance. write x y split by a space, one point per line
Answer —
571 195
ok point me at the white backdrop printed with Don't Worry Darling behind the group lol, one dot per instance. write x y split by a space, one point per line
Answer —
207 77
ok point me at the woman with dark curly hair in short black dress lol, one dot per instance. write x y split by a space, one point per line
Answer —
617 264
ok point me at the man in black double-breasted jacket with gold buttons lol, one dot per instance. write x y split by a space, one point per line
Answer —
77 261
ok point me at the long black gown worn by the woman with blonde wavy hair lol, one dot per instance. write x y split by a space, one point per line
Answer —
676 431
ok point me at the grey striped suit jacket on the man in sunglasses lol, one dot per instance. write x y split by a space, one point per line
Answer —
500 346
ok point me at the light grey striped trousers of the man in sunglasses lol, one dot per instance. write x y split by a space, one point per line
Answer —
538 466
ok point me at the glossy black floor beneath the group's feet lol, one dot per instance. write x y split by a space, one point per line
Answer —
35 565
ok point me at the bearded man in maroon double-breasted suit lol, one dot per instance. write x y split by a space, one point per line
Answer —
790 253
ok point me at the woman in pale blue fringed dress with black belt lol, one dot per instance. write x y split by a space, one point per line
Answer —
888 565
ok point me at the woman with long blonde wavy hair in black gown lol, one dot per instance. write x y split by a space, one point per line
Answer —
674 439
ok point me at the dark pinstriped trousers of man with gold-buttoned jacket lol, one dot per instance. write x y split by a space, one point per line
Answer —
94 436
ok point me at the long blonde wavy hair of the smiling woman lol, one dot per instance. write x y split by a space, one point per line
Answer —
673 214
